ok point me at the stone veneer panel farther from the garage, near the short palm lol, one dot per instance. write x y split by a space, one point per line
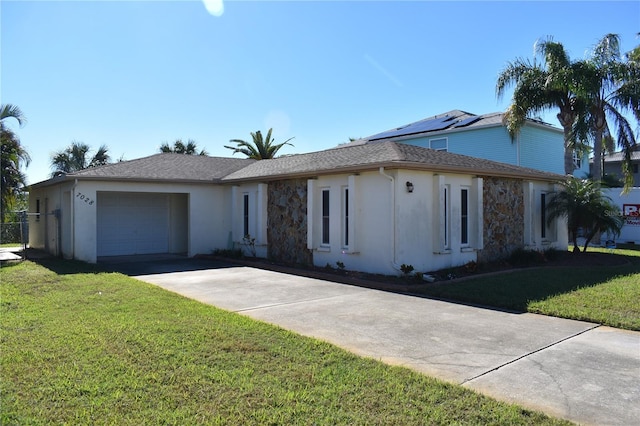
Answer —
503 203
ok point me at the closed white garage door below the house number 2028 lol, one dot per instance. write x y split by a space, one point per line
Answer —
132 223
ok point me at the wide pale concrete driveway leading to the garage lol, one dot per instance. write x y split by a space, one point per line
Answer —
570 369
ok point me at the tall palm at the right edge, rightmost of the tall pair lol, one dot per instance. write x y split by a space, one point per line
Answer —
609 88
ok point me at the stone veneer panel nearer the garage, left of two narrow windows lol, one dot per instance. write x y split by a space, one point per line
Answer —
287 222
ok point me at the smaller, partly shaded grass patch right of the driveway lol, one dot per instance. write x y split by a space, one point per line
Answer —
606 295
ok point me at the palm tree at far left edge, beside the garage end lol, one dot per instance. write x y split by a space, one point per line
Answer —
12 157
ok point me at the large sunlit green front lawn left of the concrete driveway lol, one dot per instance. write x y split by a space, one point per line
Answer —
81 346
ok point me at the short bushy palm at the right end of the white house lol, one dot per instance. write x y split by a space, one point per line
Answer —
583 204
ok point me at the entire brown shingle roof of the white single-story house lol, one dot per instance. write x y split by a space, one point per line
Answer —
349 158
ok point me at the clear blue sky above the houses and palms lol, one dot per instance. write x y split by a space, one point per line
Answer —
133 75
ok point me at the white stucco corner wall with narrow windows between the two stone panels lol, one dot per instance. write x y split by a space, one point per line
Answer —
391 226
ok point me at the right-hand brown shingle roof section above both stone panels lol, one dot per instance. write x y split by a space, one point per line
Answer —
360 157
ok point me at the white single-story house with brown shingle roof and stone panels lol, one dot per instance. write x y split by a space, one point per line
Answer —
371 206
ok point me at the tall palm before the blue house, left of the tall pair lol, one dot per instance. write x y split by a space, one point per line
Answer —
539 88
